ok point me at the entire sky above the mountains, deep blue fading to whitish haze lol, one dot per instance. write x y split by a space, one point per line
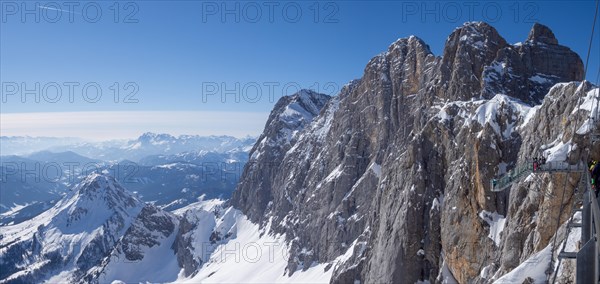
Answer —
171 55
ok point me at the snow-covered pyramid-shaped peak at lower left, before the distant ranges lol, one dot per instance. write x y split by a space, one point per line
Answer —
65 242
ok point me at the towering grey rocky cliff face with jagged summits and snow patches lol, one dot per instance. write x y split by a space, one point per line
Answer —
396 169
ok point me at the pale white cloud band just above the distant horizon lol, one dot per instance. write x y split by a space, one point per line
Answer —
105 125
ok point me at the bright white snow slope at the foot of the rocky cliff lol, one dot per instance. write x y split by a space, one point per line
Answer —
252 255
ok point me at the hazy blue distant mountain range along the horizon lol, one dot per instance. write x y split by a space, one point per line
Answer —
170 172
